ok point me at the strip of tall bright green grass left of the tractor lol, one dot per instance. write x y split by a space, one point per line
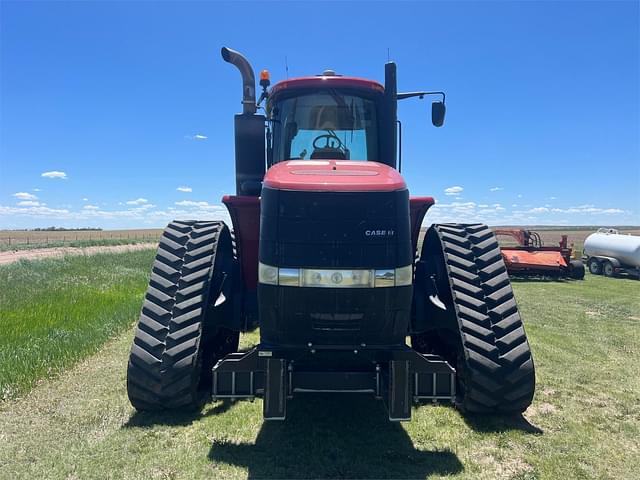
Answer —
56 311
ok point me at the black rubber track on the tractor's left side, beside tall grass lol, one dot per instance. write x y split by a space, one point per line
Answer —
176 333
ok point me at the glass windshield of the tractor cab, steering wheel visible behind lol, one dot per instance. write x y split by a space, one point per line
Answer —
326 124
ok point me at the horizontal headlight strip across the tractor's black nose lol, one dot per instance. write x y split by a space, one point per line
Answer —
331 278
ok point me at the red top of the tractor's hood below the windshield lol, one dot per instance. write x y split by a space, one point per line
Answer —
333 175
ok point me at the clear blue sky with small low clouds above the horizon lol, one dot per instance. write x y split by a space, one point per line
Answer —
129 102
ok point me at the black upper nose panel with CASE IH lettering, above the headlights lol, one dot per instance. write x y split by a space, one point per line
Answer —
335 229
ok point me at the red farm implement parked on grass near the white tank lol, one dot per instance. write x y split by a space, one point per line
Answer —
530 257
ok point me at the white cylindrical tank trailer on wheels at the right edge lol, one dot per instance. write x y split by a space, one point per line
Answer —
607 252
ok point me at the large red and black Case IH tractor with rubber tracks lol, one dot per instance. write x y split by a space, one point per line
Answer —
323 258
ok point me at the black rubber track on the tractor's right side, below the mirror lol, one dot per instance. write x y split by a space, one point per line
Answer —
494 362
